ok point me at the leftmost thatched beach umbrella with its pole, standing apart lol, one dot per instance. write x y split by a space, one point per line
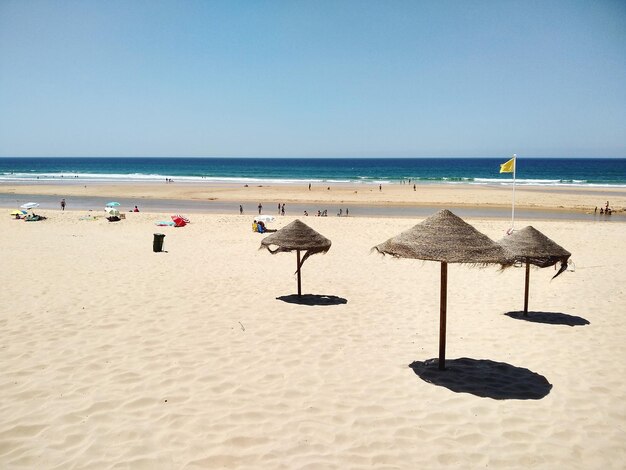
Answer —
297 236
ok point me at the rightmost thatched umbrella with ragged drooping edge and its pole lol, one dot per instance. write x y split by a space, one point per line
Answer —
533 247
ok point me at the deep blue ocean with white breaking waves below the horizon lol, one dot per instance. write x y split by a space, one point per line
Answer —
585 172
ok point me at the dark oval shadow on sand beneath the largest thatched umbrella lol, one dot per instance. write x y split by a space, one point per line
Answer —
484 378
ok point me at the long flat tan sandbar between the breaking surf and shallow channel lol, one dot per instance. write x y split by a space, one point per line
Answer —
558 199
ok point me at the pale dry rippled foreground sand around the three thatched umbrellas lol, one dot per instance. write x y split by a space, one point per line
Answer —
117 357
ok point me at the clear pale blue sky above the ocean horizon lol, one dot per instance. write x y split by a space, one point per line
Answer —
313 78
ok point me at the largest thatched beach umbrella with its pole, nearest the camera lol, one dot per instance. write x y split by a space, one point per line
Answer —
446 238
